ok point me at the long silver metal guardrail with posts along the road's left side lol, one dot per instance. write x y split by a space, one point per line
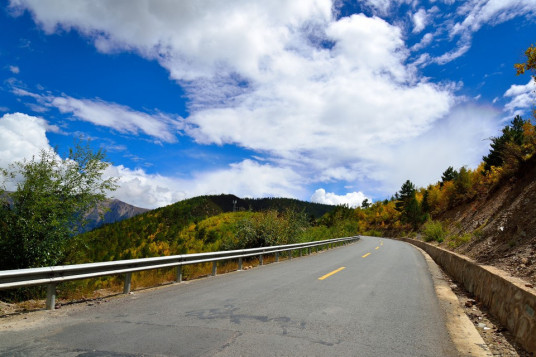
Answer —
51 276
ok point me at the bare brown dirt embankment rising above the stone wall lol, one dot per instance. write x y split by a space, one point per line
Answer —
503 226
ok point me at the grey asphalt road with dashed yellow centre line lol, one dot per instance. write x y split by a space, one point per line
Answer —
381 304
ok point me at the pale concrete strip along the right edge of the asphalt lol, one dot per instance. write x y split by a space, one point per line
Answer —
461 330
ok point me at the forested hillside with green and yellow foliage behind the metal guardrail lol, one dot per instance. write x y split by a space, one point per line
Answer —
200 224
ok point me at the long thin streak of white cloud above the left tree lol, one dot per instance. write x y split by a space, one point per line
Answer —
160 126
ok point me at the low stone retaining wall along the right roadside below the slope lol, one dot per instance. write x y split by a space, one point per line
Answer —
506 297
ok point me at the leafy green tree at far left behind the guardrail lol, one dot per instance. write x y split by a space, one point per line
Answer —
49 204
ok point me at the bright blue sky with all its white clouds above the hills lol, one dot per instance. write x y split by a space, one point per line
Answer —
317 100
